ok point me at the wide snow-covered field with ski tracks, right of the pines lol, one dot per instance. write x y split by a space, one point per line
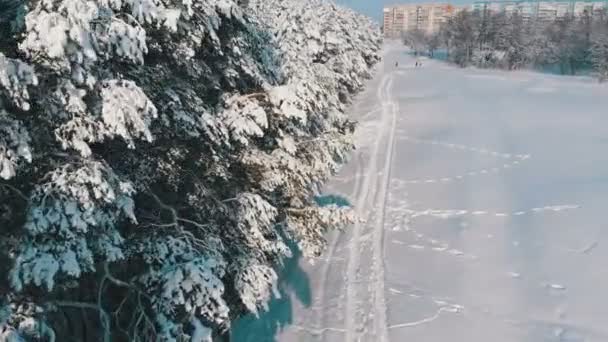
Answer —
485 197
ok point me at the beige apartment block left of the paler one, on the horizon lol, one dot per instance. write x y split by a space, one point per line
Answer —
425 17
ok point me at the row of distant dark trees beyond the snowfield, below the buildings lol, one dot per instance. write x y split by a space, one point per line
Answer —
511 42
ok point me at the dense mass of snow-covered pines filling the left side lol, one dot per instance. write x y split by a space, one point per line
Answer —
155 155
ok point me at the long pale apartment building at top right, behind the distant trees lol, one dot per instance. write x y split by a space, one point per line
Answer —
542 10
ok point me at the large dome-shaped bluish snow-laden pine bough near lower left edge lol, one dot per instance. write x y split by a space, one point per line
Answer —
72 220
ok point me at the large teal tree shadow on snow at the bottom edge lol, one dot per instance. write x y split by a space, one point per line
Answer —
294 283
